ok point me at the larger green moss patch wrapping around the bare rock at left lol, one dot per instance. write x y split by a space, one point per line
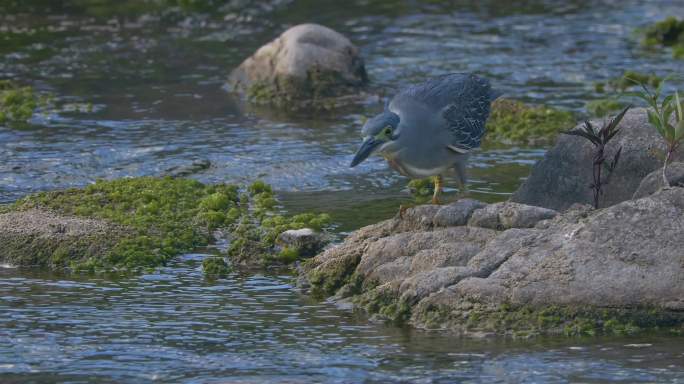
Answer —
163 216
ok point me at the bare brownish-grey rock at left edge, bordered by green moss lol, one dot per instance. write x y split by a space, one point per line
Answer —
37 237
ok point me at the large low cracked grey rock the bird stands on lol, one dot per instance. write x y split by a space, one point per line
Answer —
581 272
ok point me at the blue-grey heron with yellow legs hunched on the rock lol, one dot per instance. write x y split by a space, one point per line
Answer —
428 129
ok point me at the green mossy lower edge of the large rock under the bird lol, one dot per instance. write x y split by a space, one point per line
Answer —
472 318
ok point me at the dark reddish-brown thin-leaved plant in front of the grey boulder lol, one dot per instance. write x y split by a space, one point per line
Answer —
600 138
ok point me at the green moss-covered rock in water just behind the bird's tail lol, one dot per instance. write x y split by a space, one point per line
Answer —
514 122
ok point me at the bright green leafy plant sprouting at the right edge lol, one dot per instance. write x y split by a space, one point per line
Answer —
660 116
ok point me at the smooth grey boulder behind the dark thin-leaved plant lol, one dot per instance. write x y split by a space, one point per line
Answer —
563 176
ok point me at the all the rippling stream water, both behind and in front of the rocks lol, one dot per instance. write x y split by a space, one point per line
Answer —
154 79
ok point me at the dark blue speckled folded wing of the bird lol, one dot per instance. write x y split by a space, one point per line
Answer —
464 101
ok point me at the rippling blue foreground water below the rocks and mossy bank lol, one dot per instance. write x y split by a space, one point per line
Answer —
174 326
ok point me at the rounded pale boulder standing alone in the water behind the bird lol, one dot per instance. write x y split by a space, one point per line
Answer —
306 62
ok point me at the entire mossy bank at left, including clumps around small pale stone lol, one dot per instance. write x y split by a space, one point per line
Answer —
156 219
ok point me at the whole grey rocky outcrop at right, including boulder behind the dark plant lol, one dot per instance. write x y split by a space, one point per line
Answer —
512 268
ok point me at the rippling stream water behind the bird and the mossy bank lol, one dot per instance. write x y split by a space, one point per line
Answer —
155 78
